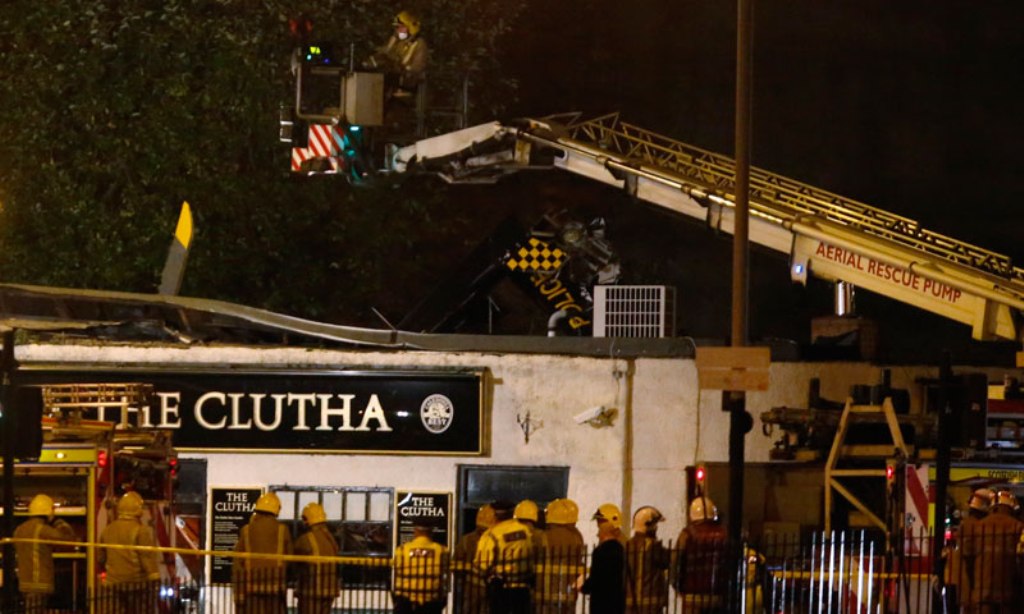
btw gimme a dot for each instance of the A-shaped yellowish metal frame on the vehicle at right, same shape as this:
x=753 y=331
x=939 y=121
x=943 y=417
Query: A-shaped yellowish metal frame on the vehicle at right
x=837 y=469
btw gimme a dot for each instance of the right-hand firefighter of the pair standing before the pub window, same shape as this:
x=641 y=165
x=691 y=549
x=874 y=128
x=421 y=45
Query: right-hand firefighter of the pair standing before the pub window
x=318 y=583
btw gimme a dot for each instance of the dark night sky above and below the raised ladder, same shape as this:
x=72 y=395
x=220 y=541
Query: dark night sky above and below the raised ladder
x=909 y=107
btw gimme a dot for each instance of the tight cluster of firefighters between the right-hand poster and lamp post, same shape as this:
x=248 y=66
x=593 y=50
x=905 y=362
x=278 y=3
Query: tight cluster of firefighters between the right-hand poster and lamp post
x=509 y=565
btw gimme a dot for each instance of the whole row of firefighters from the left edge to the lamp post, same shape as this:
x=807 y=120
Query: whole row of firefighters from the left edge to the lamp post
x=506 y=564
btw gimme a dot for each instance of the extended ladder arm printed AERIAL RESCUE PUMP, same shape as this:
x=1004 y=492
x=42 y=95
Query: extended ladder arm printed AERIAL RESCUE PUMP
x=828 y=236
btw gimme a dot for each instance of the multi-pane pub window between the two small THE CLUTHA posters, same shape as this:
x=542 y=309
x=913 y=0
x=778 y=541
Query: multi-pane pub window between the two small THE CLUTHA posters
x=361 y=520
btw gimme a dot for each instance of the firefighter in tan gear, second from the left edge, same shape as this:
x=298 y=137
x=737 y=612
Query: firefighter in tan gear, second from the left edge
x=132 y=579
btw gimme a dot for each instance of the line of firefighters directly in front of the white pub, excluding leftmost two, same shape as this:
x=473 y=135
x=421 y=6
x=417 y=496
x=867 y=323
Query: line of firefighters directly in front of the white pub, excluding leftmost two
x=506 y=564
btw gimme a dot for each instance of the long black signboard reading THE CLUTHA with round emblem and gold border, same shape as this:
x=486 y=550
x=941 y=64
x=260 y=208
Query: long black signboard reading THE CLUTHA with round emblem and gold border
x=345 y=411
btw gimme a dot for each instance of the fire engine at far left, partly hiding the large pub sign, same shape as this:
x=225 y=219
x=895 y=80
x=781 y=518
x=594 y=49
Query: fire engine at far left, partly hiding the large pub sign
x=86 y=465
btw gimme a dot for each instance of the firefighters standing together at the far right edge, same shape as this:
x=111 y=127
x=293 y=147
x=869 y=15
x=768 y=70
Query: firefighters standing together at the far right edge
x=983 y=573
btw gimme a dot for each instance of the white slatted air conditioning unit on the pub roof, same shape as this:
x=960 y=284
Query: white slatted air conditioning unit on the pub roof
x=634 y=312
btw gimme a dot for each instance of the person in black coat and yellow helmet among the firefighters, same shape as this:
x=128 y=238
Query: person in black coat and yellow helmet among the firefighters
x=607 y=583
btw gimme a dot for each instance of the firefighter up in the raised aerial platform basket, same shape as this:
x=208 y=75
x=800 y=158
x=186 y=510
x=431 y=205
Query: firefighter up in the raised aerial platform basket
x=403 y=58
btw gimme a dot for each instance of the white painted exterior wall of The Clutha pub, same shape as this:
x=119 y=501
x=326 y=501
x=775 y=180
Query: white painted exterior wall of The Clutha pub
x=664 y=422
